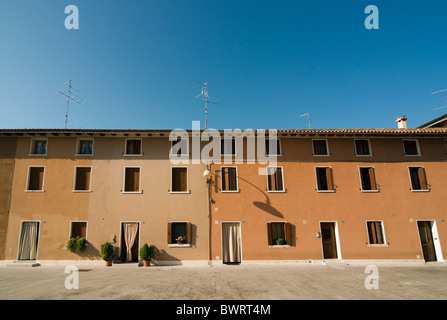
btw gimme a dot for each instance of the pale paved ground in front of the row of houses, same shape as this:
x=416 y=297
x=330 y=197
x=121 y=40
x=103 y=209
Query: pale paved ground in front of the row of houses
x=226 y=282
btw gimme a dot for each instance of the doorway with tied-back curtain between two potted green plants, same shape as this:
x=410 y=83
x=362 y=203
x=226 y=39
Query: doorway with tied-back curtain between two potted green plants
x=130 y=233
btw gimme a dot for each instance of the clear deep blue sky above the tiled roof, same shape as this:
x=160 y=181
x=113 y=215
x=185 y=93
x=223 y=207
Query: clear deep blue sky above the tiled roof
x=266 y=62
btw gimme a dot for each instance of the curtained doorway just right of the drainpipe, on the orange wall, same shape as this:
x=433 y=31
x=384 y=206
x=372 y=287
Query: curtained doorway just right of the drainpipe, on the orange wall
x=231 y=243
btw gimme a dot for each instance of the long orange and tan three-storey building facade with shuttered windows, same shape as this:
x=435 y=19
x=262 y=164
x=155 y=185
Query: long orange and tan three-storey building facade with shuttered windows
x=351 y=194
